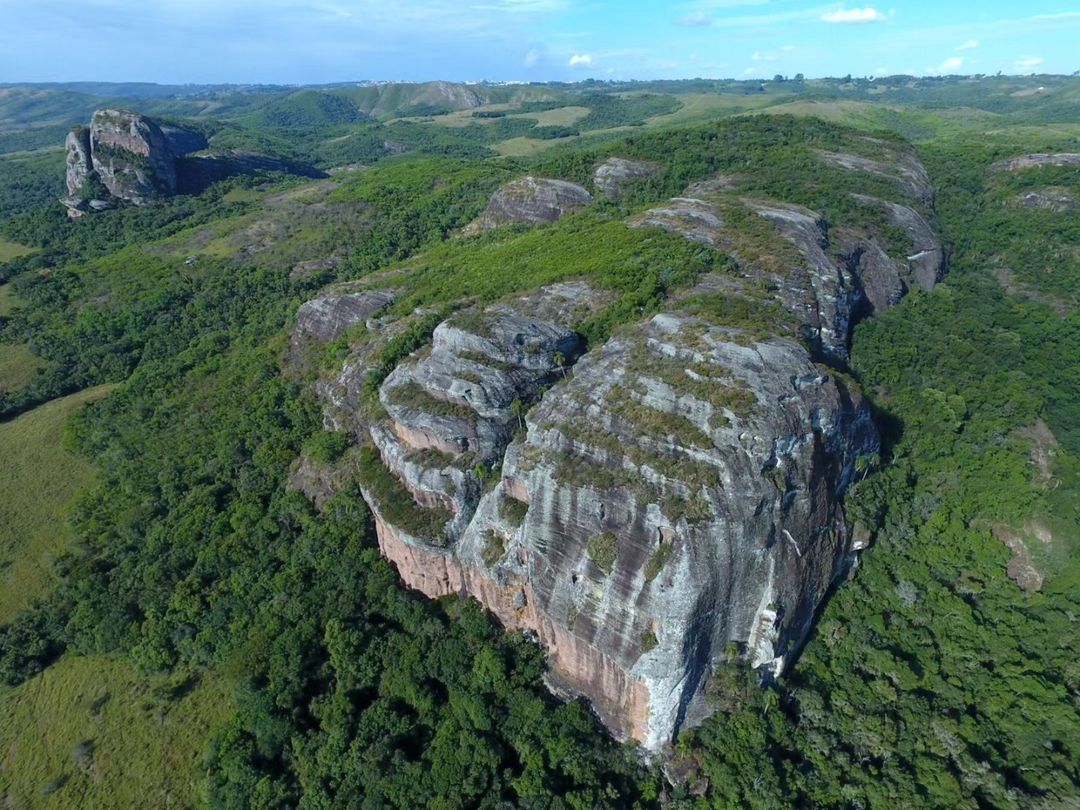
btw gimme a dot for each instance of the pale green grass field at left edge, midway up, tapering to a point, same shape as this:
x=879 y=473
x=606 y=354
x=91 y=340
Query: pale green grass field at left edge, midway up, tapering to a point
x=38 y=480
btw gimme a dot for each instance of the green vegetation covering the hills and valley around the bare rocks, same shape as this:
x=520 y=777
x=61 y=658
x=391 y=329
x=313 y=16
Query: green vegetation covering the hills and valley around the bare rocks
x=145 y=366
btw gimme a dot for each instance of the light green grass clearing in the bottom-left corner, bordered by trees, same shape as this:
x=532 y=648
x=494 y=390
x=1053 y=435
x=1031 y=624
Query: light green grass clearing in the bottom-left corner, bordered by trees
x=92 y=733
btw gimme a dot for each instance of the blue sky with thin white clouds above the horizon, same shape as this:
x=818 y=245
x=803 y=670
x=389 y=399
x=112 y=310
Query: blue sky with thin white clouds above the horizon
x=291 y=42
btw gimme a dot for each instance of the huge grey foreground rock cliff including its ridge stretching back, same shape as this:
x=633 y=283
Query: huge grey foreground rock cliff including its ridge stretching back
x=652 y=506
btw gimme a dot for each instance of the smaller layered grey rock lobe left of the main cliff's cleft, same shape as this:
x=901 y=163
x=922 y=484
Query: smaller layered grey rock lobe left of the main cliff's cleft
x=453 y=412
